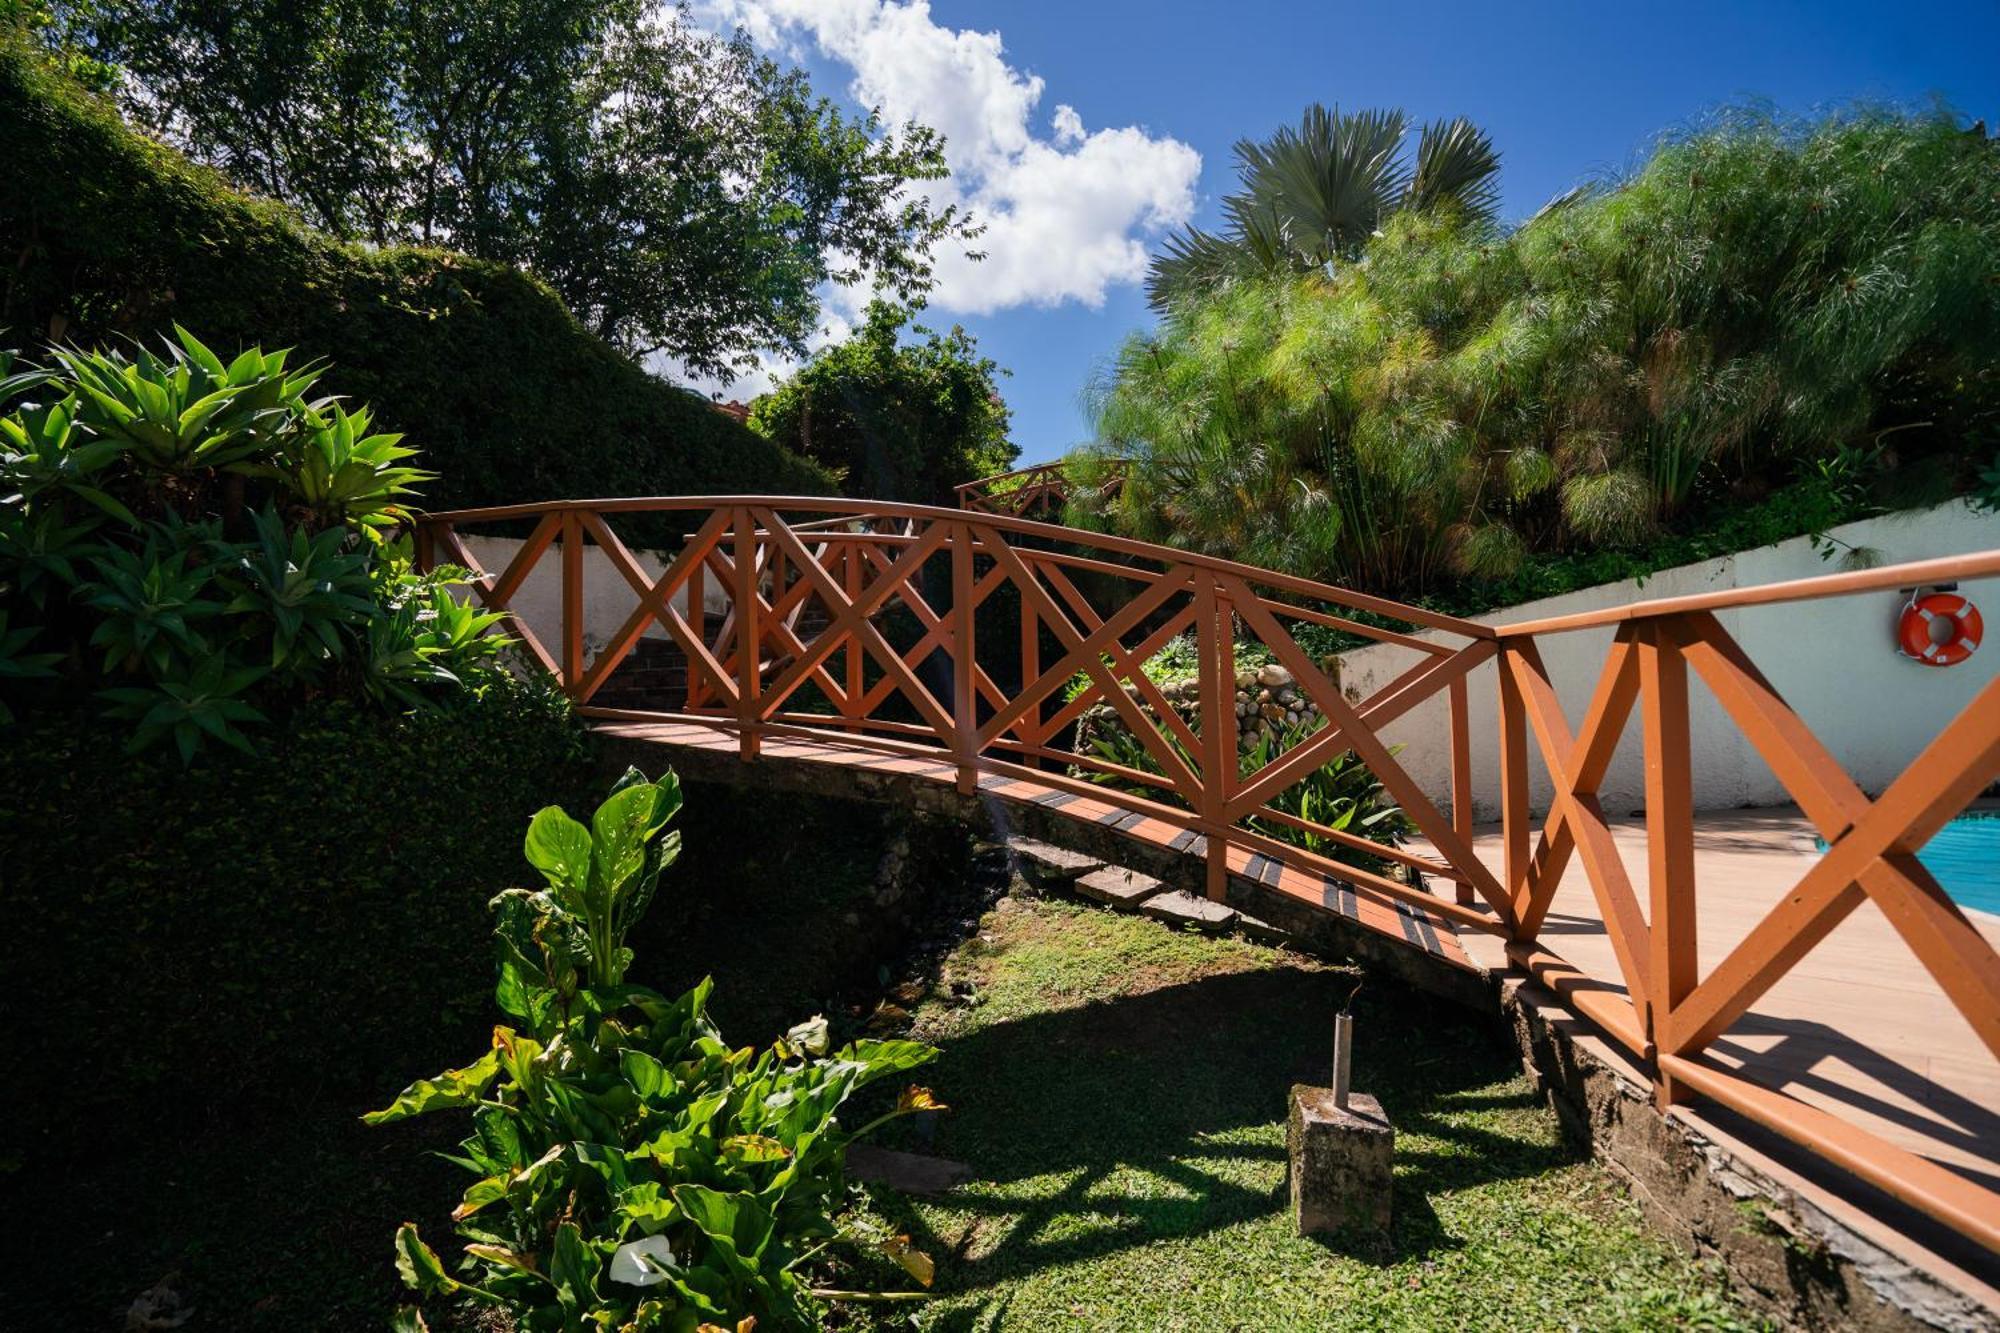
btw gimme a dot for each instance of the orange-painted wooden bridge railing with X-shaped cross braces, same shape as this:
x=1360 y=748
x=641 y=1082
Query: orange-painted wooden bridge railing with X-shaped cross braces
x=983 y=637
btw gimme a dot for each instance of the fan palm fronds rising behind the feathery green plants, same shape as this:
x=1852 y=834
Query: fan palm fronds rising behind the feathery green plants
x=1313 y=197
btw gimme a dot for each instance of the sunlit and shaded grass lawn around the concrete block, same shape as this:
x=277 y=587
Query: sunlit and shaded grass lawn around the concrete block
x=1119 y=1090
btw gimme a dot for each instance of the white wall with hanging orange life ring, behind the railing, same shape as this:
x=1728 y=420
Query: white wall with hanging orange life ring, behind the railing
x=1835 y=661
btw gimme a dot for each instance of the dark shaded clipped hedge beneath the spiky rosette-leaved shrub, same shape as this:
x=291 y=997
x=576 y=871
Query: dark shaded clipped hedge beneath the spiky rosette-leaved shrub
x=253 y=928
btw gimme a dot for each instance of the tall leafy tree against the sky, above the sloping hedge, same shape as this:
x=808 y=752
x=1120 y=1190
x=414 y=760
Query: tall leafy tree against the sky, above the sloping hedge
x=683 y=193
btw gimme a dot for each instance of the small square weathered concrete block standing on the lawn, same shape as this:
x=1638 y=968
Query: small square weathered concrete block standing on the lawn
x=1341 y=1164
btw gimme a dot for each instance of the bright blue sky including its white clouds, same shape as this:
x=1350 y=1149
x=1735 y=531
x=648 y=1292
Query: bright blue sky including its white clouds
x=1567 y=91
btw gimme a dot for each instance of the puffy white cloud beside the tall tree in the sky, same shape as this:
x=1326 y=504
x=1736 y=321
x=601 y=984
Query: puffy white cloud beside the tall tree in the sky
x=1067 y=211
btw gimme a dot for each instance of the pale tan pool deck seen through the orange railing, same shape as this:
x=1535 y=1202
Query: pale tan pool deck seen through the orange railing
x=1859 y=1028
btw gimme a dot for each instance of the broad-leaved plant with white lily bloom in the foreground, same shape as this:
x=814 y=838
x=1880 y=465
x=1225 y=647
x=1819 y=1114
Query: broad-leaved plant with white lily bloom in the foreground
x=635 y=1172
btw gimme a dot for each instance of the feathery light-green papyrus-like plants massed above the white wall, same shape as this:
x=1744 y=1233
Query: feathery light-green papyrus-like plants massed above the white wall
x=1759 y=305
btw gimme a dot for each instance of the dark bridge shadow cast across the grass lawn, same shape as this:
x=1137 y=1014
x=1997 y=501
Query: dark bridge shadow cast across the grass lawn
x=1175 y=1086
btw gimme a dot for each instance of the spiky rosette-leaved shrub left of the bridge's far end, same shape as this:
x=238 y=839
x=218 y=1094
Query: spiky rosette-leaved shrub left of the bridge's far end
x=203 y=543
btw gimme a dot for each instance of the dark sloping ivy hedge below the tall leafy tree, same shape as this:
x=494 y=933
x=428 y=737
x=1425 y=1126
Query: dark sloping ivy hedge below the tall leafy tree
x=109 y=233
